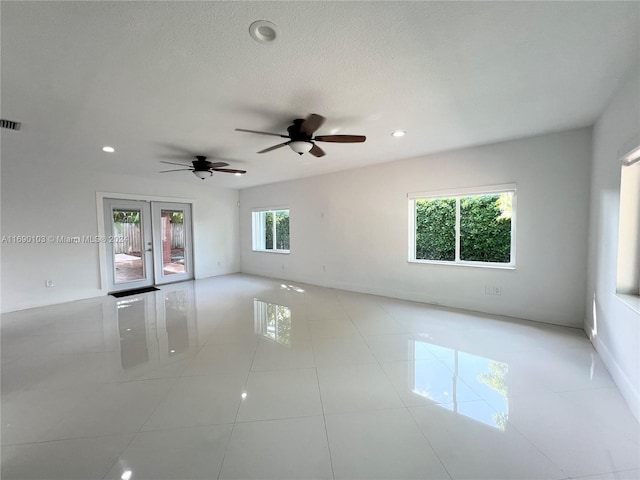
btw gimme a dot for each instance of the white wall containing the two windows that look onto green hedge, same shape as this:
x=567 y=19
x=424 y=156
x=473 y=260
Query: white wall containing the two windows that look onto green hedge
x=349 y=230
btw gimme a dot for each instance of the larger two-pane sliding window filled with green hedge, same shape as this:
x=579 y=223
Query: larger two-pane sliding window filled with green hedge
x=470 y=227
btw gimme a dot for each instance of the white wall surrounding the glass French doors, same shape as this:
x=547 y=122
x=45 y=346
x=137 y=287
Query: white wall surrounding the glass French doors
x=58 y=201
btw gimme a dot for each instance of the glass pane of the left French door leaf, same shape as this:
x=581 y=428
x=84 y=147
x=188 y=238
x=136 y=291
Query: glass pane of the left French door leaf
x=127 y=255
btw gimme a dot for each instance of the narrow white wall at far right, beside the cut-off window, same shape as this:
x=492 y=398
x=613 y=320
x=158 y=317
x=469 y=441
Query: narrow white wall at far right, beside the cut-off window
x=614 y=326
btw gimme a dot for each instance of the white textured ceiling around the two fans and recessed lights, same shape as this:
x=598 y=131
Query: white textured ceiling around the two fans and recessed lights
x=154 y=79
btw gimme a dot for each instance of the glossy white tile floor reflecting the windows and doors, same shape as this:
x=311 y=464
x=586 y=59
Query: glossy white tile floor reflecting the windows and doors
x=242 y=377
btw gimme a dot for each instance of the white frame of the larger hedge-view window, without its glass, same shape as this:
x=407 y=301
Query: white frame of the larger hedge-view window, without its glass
x=458 y=194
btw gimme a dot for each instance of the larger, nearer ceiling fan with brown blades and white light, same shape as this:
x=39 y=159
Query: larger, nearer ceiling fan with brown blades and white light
x=301 y=139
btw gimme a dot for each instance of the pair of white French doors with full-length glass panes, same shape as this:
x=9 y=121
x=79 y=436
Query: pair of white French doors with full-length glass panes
x=147 y=243
